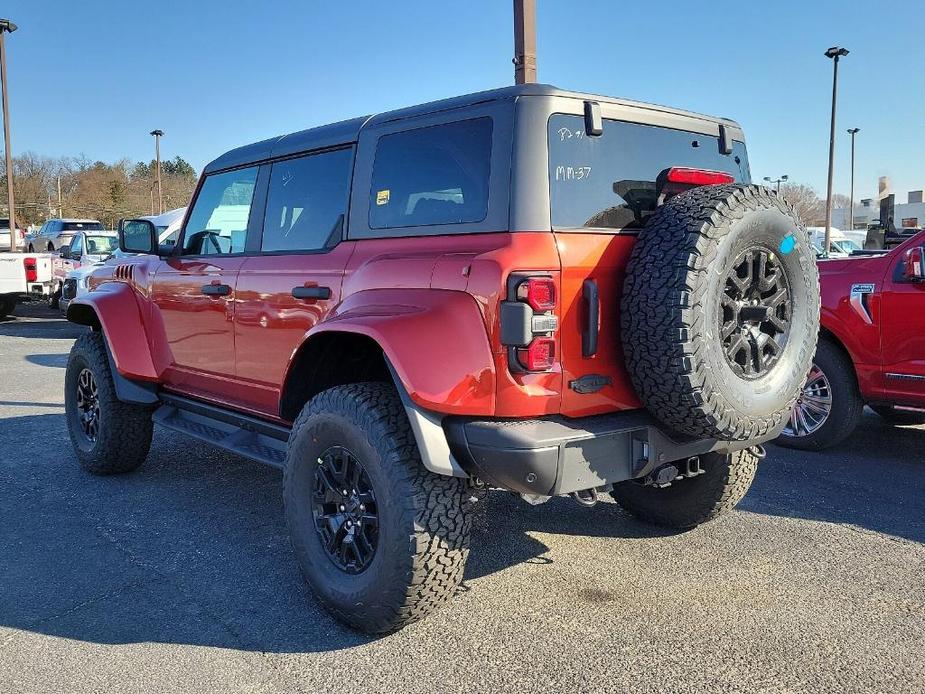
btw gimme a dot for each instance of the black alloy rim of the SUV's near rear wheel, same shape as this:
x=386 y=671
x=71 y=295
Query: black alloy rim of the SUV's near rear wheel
x=344 y=509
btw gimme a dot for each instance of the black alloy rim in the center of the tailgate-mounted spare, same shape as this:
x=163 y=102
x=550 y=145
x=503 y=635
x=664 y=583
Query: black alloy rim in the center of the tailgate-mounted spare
x=755 y=313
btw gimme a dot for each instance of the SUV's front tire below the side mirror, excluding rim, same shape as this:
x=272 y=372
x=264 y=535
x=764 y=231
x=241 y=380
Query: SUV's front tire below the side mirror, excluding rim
x=125 y=429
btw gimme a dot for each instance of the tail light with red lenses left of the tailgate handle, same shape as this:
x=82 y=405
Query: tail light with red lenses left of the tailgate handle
x=529 y=323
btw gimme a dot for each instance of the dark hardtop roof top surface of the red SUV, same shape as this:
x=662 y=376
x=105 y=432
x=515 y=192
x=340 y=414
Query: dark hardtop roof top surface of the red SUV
x=348 y=131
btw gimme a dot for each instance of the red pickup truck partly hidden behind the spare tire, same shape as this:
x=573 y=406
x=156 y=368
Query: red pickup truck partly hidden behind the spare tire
x=871 y=346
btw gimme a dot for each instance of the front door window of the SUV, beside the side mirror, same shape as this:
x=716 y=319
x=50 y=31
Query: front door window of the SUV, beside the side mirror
x=218 y=222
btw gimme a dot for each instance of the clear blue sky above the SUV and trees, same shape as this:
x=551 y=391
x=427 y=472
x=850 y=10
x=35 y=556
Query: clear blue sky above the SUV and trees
x=95 y=77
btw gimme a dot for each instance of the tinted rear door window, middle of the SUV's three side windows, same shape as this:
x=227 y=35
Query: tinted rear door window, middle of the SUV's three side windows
x=307 y=201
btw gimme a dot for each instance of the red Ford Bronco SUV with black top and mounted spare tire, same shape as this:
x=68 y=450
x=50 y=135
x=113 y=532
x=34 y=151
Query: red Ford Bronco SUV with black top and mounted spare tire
x=528 y=289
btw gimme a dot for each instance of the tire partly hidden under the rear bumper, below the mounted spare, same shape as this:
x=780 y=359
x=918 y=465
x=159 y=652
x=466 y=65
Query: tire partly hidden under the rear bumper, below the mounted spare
x=689 y=502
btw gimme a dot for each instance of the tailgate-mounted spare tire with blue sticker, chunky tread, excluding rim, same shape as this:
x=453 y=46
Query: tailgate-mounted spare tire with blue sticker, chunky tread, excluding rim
x=671 y=308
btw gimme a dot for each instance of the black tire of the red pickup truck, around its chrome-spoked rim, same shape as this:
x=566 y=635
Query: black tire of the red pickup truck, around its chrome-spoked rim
x=847 y=404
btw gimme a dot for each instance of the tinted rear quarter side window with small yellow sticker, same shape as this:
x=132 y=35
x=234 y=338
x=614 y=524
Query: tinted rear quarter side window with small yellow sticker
x=433 y=175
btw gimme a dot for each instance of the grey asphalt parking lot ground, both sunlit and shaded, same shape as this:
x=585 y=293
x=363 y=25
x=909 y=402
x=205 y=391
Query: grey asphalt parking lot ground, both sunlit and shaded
x=179 y=577
